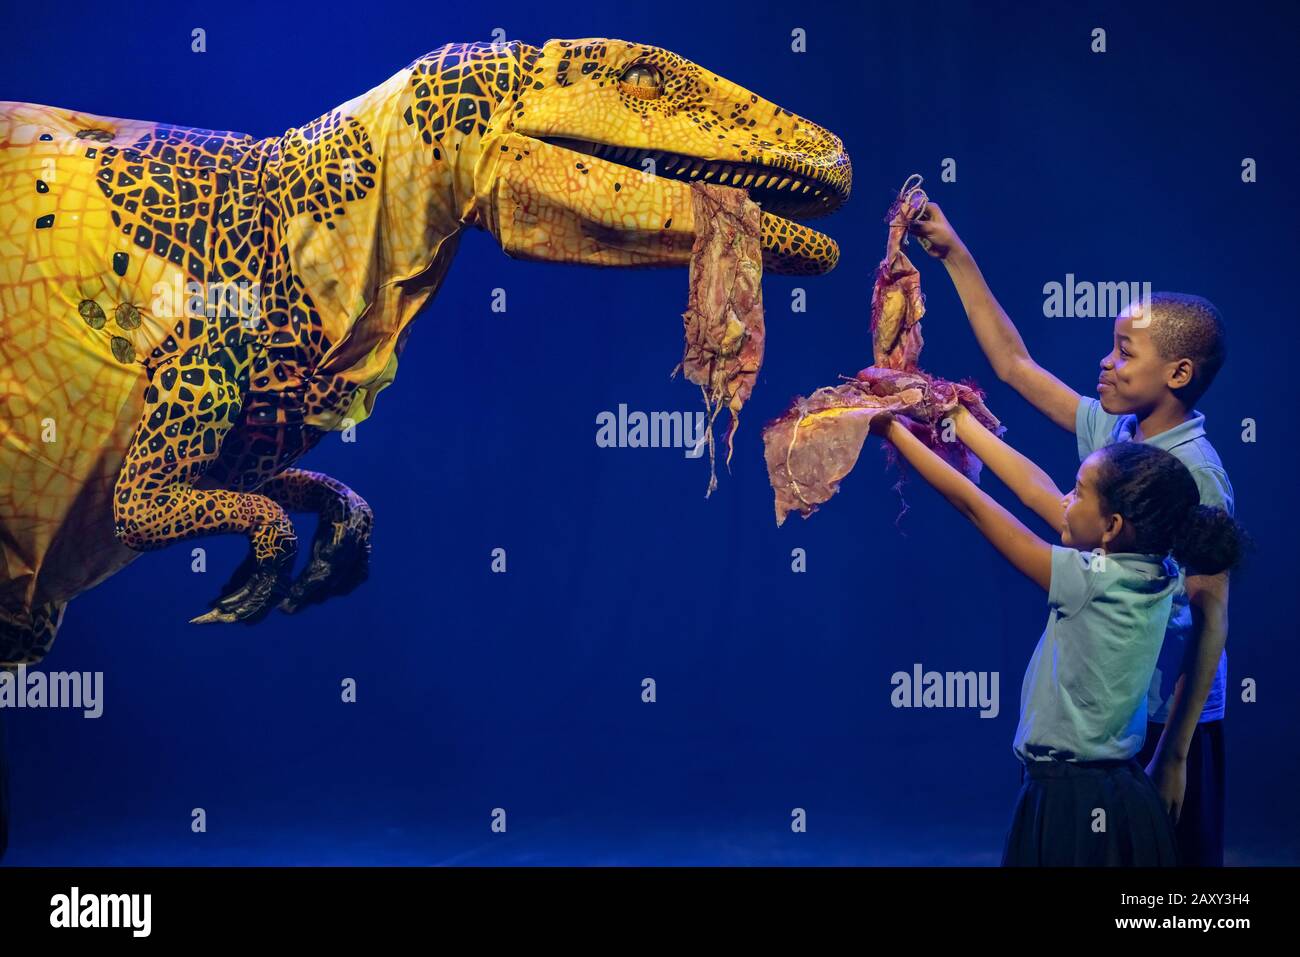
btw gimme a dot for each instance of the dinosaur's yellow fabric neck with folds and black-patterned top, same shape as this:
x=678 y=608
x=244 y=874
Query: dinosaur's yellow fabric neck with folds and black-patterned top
x=375 y=197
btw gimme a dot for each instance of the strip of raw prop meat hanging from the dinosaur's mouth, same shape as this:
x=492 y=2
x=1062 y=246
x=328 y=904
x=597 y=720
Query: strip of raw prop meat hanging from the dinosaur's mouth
x=725 y=313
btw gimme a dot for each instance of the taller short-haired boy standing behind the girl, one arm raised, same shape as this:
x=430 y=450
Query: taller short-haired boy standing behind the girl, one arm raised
x=1165 y=356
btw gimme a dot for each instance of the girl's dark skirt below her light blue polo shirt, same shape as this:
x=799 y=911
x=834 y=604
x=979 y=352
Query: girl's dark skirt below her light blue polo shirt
x=1089 y=815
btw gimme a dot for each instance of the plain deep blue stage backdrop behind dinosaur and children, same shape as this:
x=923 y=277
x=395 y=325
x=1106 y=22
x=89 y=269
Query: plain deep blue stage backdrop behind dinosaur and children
x=523 y=691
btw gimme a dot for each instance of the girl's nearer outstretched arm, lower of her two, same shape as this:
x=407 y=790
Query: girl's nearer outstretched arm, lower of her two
x=1024 y=549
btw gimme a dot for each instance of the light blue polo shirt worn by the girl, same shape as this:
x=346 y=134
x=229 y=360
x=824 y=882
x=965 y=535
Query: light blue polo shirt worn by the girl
x=1085 y=692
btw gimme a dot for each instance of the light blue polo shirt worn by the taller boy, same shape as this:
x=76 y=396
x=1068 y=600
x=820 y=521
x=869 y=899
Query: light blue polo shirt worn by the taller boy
x=1097 y=428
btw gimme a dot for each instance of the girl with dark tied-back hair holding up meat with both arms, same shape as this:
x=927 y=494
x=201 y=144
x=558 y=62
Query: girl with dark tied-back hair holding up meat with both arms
x=1085 y=799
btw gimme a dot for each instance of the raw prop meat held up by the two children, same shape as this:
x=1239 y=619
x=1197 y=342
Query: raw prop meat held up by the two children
x=817 y=443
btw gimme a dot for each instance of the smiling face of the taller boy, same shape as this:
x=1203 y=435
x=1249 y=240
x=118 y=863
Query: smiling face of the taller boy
x=1134 y=376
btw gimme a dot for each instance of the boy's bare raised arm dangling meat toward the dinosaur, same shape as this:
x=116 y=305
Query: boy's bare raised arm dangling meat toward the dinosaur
x=994 y=328
